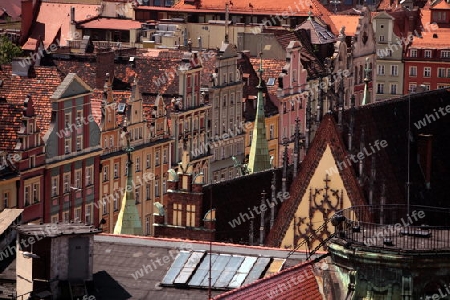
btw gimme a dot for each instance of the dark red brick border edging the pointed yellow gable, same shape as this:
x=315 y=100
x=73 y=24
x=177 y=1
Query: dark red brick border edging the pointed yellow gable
x=327 y=134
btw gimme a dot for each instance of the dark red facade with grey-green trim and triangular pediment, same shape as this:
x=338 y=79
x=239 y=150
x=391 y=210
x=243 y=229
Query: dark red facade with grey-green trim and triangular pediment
x=72 y=155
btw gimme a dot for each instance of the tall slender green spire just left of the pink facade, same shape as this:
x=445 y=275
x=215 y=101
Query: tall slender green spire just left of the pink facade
x=259 y=159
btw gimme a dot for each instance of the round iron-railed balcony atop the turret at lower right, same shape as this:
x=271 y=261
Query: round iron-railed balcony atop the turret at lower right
x=393 y=227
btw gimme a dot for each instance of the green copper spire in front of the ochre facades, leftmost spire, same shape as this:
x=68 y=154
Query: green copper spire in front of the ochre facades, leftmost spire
x=128 y=221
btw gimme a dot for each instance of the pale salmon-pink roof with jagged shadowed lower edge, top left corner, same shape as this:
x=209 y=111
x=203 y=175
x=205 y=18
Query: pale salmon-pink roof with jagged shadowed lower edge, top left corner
x=53 y=22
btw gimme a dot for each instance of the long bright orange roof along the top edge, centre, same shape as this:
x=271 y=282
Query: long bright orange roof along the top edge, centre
x=259 y=7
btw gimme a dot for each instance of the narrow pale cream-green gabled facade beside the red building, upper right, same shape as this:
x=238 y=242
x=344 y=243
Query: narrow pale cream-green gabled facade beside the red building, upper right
x=390 y=67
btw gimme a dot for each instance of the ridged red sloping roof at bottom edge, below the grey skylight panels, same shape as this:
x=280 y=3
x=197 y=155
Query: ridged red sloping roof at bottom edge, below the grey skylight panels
x=297 y=282
